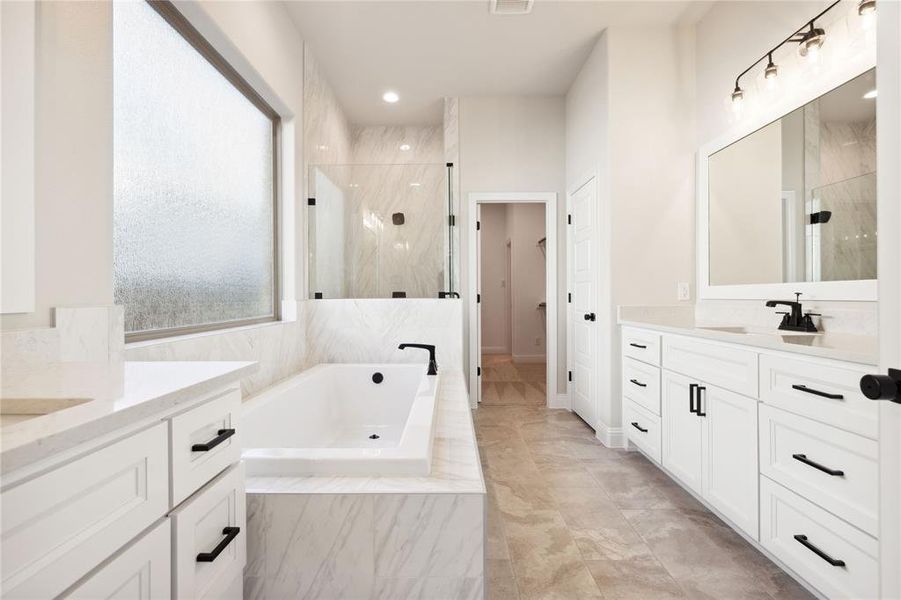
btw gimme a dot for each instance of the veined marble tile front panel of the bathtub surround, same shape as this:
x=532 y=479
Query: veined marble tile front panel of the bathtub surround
x=367 y=546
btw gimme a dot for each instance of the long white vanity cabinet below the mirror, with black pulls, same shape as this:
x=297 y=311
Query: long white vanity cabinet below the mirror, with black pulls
x=782 y=445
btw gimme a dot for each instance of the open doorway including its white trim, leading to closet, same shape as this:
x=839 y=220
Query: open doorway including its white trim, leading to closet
x=513 y=333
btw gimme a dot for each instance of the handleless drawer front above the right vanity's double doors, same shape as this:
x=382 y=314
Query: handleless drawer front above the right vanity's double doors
x=723 y=365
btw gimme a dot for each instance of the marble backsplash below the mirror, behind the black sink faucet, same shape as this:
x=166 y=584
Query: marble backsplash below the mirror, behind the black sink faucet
x=855 y=318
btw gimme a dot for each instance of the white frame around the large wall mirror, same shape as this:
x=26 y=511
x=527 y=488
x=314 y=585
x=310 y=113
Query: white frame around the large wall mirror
x=861 y=290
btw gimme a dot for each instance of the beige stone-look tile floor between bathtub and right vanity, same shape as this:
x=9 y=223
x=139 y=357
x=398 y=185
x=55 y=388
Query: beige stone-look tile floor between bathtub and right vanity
x=571 y=519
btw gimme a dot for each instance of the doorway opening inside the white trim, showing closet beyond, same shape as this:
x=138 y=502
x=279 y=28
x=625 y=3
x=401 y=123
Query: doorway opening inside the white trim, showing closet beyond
x=514 y=304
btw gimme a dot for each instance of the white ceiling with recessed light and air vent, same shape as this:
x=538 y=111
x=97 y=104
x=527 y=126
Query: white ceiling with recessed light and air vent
x=426 y=50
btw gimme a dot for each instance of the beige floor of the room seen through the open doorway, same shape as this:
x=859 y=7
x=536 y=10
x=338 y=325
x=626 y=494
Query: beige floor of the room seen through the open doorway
x=505 y=383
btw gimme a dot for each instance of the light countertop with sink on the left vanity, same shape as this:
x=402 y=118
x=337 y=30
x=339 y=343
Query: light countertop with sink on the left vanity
x=99 y=397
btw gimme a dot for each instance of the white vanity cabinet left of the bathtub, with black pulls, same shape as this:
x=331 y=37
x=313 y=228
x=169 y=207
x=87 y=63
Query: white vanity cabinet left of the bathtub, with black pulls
x=153 y=512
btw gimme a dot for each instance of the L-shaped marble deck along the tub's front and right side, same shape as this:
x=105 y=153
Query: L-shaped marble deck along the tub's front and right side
x=456 y=468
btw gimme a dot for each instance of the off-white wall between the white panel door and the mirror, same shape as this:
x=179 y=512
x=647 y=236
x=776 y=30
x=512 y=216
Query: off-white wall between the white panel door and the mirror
x=629 y=121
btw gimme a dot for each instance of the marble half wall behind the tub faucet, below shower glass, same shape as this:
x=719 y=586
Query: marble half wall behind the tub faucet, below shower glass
x=370 y=330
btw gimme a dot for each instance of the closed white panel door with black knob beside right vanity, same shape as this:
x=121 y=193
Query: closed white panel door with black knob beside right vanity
x=584 y=302
